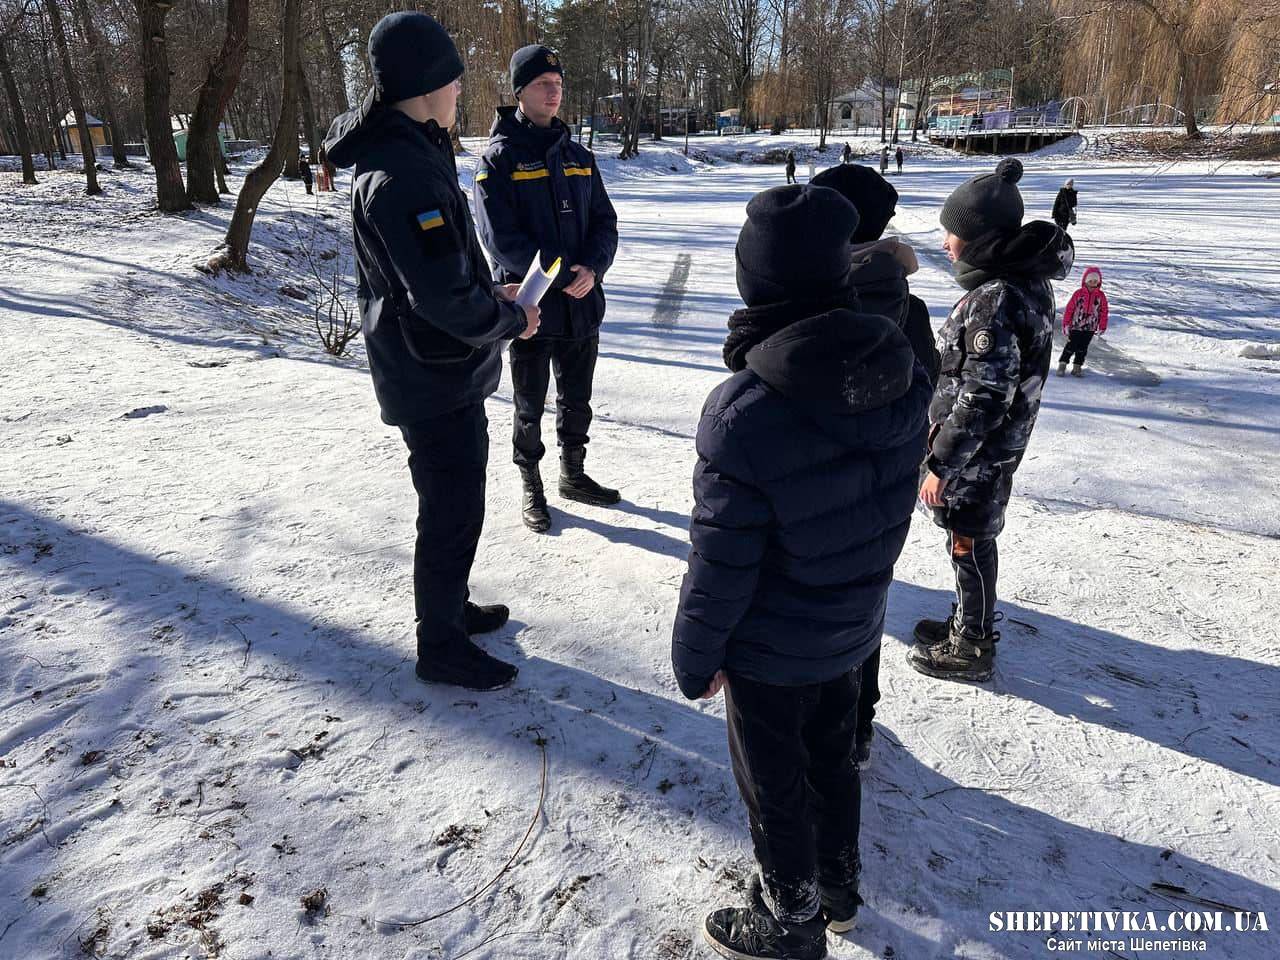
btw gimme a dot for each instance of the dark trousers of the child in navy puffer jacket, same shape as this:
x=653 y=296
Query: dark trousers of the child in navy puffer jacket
x=793 y=755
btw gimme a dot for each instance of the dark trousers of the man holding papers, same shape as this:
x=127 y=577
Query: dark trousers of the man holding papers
x=447 y=459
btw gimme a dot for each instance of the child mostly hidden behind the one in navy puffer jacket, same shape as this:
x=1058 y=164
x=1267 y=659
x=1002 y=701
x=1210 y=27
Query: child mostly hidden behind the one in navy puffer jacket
x=879 y=277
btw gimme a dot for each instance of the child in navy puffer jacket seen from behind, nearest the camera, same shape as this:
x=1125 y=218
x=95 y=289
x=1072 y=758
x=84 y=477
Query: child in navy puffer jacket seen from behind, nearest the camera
x=807 y=467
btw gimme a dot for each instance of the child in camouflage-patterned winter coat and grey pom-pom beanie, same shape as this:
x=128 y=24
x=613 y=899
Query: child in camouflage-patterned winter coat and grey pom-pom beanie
x=996 y=351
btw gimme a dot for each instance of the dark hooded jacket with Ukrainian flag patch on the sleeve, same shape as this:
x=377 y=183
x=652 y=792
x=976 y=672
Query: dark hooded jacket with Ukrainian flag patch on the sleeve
x=432 y=321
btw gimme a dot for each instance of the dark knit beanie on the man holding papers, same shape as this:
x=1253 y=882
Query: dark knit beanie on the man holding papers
x=410 y=54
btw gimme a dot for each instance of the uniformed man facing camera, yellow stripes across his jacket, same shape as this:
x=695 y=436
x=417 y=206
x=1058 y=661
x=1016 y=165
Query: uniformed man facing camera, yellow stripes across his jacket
x=537 y=190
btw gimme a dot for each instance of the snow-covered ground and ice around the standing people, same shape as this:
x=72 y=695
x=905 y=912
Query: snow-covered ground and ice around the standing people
x=208 y=711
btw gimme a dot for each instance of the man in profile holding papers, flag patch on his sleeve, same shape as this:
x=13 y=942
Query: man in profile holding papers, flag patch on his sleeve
x=435 y=324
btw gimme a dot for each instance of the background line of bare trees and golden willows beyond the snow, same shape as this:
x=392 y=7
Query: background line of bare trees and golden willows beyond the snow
x=269 y=70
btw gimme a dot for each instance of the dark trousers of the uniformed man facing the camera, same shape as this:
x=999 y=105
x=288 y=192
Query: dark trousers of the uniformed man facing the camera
x=532 y=364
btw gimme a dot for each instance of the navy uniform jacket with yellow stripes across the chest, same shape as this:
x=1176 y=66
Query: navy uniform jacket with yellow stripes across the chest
x=537 y=190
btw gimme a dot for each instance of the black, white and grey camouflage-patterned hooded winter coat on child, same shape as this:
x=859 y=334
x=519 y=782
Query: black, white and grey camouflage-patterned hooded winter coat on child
x=996 y=349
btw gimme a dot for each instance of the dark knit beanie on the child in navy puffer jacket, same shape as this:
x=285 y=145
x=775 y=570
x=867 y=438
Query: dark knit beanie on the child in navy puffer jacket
x=796 y=245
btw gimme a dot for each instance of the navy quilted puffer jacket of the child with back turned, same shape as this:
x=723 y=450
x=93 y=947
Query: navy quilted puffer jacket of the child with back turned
x=803 y=495
